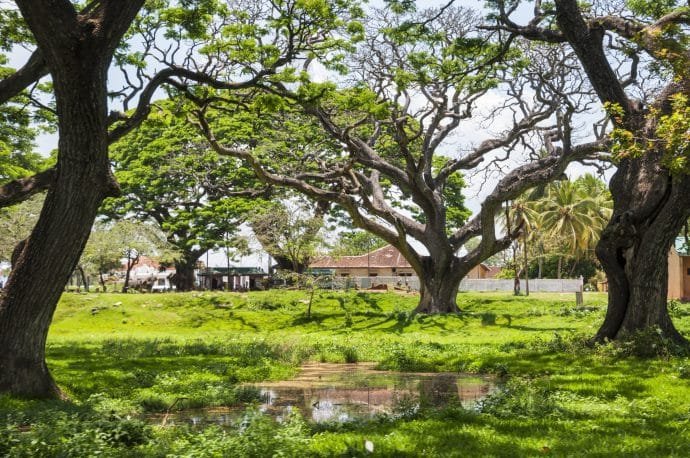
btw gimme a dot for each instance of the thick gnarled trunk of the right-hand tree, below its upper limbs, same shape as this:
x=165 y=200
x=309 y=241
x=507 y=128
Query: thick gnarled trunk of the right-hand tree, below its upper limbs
x=634 y=248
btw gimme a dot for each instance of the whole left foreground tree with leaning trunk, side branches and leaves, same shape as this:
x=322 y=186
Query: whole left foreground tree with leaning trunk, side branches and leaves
x=75 y=47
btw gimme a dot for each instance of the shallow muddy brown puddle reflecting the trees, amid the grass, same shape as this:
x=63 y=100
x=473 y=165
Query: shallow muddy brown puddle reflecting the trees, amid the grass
x=347 y=392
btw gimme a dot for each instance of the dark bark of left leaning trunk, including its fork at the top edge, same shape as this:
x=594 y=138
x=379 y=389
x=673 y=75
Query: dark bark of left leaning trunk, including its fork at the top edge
x=77 y=50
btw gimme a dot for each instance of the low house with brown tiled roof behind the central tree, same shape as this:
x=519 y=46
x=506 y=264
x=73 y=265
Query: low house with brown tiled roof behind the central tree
x=384 y=262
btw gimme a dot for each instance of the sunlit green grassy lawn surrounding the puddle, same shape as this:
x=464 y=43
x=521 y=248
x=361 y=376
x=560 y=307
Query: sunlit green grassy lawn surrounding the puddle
x=120 y=357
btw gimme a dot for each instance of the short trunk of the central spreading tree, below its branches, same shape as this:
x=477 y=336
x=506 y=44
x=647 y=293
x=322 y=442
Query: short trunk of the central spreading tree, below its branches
x=439 y=285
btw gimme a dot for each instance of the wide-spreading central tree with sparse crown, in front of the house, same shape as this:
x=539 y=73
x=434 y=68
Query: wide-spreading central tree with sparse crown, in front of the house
x=412 y=82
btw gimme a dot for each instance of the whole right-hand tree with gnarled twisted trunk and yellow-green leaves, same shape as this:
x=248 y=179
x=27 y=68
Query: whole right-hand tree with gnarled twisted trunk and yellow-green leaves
x=635 y=56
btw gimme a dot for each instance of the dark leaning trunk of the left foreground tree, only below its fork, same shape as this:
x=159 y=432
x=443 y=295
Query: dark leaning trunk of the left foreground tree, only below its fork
x=56 y=242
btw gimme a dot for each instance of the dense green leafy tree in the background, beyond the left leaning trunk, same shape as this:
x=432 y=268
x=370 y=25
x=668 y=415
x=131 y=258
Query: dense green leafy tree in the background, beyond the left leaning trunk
x=168 y=174
